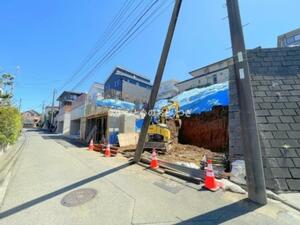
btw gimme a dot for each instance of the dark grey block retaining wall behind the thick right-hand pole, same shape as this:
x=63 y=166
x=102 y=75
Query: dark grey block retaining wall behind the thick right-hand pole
x=275 y=75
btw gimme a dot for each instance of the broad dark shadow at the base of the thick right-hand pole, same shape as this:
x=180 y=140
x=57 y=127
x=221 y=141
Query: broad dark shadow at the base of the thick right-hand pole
x=223 y=214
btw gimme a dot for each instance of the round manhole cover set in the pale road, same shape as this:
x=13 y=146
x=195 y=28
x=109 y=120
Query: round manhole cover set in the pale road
x=78 y=197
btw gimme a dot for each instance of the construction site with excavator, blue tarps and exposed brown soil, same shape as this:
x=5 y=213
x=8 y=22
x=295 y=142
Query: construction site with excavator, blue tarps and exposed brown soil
x=184 y=131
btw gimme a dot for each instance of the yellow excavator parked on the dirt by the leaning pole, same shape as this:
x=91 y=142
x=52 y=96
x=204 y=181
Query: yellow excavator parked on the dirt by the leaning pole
x=159 y=134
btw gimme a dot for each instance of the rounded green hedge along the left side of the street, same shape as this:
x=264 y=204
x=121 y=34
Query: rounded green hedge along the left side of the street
x=10 y=125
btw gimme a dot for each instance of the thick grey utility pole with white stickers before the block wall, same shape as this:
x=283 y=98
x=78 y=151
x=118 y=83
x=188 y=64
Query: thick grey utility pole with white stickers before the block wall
x=250 y=139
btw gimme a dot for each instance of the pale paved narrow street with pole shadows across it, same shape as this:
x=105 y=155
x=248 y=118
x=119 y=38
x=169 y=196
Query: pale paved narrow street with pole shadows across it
x=50 y=168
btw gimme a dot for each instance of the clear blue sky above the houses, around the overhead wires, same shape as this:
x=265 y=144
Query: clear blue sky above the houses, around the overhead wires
x=44 y=42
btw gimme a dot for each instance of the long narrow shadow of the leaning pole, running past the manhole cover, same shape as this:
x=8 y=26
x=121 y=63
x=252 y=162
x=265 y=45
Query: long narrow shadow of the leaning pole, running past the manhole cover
x=53 y=194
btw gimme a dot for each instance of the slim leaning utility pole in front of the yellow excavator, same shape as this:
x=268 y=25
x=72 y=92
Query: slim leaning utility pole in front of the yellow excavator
x=158 y=77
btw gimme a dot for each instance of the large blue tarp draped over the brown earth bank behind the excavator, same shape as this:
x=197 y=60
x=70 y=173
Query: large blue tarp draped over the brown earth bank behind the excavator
x=199 y=100
